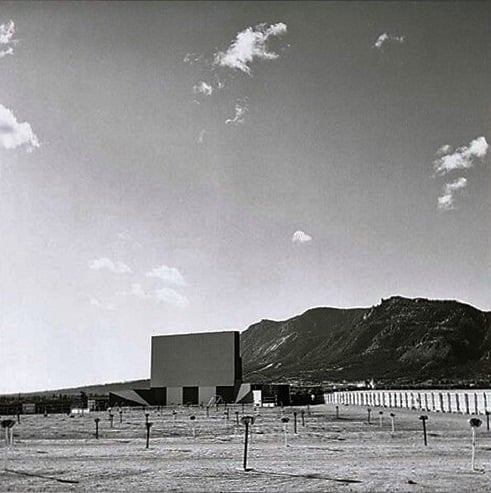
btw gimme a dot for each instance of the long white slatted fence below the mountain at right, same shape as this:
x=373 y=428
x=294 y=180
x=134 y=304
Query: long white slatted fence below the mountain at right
x=439 y=401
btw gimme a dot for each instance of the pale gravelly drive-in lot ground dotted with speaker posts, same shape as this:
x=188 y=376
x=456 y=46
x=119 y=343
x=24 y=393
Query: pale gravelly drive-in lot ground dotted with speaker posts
x=61 y=453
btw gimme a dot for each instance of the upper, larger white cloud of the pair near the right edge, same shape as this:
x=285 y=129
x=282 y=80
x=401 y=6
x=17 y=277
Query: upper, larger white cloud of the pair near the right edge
x=462 y=158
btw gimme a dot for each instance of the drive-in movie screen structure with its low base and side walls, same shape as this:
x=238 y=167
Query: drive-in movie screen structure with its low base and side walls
x=201 y=368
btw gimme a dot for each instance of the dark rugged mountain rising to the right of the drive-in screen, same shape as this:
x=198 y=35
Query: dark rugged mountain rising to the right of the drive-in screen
x=399 y=340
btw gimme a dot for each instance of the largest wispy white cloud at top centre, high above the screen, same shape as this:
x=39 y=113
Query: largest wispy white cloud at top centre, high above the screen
x=250 y=44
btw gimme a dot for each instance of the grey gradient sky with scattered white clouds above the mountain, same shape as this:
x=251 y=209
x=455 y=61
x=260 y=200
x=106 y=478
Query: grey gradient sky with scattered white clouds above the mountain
x=170 y=167
